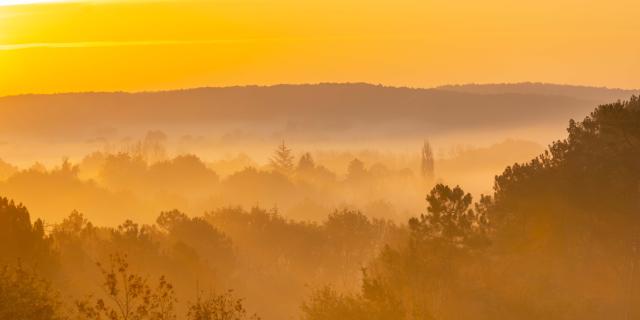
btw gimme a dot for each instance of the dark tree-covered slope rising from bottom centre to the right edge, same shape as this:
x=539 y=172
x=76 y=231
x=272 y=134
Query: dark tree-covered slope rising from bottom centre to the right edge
x=556 y=240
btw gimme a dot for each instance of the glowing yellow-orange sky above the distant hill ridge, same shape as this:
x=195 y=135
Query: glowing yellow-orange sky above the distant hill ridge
x=72 y=46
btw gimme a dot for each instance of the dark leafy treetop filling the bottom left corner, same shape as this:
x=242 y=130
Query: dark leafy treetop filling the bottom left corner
x=26 y=296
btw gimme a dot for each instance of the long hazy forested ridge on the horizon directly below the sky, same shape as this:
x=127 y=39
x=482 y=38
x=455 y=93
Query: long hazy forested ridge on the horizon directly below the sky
x=321 y=107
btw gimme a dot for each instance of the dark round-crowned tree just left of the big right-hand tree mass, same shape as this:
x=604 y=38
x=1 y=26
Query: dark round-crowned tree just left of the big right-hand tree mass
x=424 y=274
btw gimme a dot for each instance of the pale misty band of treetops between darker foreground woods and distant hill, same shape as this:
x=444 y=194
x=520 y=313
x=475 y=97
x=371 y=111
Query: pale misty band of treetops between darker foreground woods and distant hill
x=137 y=179
